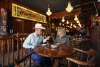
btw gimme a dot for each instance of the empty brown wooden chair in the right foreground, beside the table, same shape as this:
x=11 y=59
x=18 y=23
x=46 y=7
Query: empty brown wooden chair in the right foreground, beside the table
x=79 y=62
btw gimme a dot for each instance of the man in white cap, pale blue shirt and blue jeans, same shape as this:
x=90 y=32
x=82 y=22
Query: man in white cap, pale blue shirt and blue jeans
x=34 y=40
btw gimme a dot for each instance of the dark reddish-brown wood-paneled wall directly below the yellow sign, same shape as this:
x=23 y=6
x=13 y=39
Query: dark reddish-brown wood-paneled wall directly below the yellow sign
x=22 y=26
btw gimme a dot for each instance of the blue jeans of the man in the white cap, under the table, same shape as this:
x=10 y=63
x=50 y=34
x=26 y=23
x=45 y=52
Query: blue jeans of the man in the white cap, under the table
x=42 y=61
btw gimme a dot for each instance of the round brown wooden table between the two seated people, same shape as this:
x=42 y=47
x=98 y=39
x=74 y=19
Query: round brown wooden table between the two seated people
x=61 y=51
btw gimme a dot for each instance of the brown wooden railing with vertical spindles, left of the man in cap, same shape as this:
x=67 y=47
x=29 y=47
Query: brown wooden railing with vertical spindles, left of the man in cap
x=11 y=48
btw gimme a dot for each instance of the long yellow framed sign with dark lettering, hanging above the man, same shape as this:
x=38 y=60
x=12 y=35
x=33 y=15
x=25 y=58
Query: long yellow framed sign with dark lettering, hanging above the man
x=24 y=13
